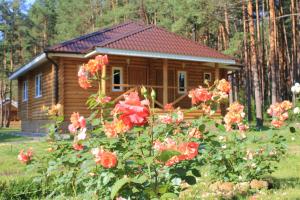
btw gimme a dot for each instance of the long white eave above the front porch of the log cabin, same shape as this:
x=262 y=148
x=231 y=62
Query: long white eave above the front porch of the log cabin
x=148 y=54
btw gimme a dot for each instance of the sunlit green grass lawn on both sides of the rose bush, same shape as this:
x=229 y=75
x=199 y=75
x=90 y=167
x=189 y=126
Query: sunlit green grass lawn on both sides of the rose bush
x=286 y=180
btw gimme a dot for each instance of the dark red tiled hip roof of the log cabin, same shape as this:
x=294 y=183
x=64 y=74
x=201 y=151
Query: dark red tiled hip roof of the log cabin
x=137 y=37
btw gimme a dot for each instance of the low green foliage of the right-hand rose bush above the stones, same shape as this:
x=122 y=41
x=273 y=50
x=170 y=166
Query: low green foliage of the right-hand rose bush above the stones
x=238 y=158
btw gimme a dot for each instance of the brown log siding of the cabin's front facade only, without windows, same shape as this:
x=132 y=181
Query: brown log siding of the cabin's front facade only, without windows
x=136 y=70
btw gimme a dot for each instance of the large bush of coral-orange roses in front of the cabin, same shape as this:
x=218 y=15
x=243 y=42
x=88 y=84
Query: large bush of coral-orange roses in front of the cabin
x=132 y=152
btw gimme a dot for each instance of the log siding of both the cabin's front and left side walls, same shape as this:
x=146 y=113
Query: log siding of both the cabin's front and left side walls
x=136 y=70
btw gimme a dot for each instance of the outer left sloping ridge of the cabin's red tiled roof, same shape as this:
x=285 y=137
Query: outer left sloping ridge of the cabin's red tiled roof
x=88 y=35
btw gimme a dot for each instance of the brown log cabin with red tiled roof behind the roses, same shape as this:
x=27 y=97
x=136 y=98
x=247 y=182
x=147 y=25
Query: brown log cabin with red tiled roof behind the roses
x=138 y=55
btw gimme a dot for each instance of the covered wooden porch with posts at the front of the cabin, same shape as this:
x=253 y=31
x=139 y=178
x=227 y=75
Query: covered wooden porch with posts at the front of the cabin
x=171 y=79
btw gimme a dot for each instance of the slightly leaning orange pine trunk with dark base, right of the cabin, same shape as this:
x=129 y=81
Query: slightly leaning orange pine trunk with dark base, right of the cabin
x=256 y=84
